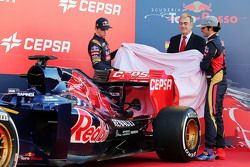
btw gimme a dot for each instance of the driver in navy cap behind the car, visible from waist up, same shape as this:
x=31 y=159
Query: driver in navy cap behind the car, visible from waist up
x=98 y=47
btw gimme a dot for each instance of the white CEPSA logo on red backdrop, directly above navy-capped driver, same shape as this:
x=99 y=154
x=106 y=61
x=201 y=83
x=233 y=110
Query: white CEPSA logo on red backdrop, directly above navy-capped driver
x=91 y=6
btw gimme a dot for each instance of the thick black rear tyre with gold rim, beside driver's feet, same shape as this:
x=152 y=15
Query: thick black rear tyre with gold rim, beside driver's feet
x=177 y=134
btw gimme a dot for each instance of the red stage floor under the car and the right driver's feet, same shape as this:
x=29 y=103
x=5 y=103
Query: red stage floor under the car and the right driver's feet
x=235 y=157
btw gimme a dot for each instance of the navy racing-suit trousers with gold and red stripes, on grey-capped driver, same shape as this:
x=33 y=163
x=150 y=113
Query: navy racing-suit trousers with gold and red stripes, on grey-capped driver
x=214 y=126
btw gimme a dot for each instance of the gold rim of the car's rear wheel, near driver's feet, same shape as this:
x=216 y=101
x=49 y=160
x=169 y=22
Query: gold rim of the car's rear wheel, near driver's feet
x=191 y=134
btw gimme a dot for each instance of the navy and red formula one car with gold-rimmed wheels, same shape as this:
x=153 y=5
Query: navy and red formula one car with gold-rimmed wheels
x=66 y=117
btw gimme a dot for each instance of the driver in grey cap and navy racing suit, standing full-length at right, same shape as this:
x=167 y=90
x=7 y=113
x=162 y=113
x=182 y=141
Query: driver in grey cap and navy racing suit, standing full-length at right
x=213 y=64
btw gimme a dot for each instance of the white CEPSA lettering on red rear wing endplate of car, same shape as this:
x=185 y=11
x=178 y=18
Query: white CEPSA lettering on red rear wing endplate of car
x=161 y=84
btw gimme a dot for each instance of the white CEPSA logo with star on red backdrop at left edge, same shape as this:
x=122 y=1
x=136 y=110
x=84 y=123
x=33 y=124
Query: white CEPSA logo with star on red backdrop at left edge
x=36 y=44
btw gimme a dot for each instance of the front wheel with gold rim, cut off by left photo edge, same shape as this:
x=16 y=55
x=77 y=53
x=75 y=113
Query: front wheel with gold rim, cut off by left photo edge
x=9 y=144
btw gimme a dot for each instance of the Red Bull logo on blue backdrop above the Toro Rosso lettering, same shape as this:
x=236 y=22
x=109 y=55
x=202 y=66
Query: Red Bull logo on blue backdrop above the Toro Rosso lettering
x=197 y=7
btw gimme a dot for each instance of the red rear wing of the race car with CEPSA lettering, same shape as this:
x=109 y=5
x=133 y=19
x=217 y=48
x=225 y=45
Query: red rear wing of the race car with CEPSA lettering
x=161 y=89
